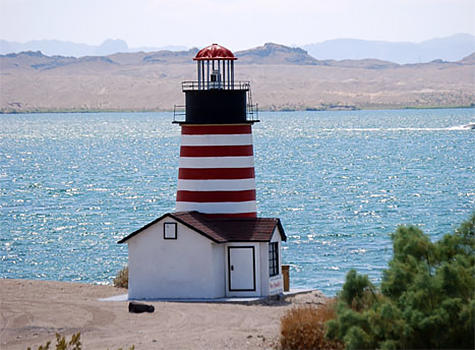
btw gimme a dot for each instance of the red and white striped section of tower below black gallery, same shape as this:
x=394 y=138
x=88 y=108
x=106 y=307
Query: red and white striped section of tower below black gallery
x=216 y=170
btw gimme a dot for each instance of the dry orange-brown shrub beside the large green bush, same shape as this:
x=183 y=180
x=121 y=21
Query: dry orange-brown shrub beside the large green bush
x=303 y=328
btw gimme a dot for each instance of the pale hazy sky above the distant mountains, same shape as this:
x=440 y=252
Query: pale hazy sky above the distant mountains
x=237 y=24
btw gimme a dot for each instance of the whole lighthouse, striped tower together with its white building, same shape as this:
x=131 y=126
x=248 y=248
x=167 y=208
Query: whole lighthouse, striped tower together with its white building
x=213 y=245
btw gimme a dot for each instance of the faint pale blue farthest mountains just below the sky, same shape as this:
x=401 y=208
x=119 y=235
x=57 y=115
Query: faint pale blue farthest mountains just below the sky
x=452 y=48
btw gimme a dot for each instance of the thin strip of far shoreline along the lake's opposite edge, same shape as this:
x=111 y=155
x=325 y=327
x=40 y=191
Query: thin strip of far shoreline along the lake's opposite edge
x=309 y=109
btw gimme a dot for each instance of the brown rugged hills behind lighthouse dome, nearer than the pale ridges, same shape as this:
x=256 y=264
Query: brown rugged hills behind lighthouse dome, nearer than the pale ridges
x=268 y=54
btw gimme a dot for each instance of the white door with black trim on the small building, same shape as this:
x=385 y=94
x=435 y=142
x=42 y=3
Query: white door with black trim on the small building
x=241 y=269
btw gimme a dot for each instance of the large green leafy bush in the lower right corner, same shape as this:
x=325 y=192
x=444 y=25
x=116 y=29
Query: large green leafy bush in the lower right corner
x=426 y=298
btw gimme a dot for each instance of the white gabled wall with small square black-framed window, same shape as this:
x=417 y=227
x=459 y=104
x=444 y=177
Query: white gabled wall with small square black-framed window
x=192 y=266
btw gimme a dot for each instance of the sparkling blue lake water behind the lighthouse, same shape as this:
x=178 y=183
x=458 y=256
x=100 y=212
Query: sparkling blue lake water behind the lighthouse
x=71 y=185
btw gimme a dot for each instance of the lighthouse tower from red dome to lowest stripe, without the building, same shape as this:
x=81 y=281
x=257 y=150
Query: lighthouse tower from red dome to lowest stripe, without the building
x=216 y=168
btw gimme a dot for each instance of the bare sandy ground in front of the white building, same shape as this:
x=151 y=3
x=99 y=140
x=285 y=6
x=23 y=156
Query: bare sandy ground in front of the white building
x=33 y=311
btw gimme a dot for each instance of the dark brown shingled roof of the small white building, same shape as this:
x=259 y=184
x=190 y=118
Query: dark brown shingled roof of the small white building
x=222 y=230
